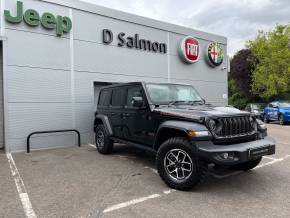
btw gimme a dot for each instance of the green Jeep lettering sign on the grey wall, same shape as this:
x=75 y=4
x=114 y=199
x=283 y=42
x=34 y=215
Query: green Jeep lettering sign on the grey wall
x=32 y=18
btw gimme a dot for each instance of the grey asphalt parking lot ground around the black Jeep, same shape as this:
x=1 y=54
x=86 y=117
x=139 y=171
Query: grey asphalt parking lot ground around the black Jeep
x=79 y=182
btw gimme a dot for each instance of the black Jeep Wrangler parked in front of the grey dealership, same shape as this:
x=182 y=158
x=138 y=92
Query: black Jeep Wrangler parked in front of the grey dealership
x=187 y=135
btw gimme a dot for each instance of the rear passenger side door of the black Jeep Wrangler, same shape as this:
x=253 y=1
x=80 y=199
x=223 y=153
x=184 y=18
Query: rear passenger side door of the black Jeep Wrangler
x=116 y=110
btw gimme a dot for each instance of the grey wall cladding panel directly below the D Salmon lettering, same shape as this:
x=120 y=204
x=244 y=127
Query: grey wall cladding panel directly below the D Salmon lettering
x=115 y=60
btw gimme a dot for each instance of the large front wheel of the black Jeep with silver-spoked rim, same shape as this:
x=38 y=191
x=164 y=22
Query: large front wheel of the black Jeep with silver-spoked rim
x=178 y=165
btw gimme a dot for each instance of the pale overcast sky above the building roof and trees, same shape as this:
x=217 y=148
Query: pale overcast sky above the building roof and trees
x=238 y=20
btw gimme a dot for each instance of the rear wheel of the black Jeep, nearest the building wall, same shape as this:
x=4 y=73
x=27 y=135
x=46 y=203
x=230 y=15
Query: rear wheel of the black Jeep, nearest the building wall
x=103 y=143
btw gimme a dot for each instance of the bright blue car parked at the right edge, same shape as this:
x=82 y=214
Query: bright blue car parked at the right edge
x=277 y=110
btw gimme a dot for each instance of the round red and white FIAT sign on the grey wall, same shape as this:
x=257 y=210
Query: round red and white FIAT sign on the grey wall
x=189 y=50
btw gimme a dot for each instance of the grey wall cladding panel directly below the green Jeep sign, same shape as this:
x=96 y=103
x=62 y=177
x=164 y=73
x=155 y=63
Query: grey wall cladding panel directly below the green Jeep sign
x=38 y=50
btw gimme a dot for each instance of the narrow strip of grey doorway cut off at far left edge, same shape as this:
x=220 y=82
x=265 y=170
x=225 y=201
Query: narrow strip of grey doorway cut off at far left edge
x=1 y=99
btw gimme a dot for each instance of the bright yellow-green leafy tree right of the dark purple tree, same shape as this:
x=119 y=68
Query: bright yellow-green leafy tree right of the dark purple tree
x=271 y=74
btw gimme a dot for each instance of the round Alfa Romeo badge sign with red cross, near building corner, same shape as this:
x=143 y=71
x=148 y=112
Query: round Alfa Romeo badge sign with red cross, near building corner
x=215 y=54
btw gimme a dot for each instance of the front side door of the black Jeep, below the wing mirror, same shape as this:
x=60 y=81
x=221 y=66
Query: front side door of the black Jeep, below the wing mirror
x=138 y=123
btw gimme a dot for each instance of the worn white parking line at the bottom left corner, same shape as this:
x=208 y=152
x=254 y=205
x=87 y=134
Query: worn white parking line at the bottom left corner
x=26 y=204
